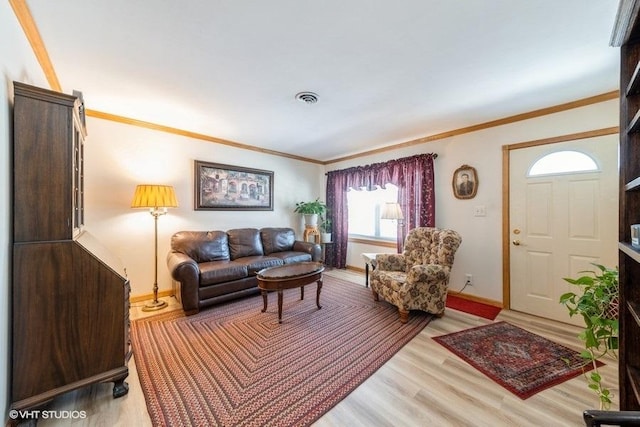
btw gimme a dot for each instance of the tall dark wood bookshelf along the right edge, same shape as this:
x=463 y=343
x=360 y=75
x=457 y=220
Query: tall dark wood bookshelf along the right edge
x=626 y=35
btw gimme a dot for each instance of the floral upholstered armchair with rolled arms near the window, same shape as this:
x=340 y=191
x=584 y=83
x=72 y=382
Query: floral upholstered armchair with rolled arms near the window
x=417 y=279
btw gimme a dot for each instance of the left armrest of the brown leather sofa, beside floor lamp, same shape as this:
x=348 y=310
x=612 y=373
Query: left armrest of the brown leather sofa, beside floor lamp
x=185 y=270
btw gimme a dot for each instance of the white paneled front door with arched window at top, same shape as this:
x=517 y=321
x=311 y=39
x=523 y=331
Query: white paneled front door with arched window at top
x=560 y=224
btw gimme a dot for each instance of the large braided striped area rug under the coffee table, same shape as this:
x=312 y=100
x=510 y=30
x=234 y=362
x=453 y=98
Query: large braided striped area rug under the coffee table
x=232 y=365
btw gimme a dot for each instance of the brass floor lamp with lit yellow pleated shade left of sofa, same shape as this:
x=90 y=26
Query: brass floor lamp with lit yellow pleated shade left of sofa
x=157 y=198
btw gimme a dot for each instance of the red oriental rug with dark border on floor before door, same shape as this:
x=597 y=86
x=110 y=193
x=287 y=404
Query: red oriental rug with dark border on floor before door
x=520 y=361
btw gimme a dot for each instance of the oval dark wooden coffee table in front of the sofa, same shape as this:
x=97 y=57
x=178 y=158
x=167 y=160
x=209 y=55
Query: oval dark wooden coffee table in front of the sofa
x=287 y=277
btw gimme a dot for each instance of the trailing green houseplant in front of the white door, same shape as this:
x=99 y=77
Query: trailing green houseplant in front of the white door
x=598 y=306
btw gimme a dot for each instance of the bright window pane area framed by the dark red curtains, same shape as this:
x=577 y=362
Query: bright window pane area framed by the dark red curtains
x=365 y=207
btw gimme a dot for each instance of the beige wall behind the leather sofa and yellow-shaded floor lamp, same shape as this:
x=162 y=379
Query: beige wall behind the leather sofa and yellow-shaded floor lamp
x=120 y=156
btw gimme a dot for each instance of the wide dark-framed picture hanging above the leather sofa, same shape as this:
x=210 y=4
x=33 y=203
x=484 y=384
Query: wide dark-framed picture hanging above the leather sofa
x=226 y=187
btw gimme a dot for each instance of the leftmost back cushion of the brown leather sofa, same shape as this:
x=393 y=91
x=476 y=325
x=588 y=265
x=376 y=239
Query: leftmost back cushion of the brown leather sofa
x=202 y=246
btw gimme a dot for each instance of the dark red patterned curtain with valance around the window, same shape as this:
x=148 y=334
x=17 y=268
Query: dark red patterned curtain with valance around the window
x=414 y=178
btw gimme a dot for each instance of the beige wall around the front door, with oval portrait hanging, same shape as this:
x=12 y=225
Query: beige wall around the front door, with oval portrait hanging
x=481 y=252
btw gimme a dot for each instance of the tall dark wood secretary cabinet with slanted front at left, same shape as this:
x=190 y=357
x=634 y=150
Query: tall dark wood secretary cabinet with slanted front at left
x=70 y=296
